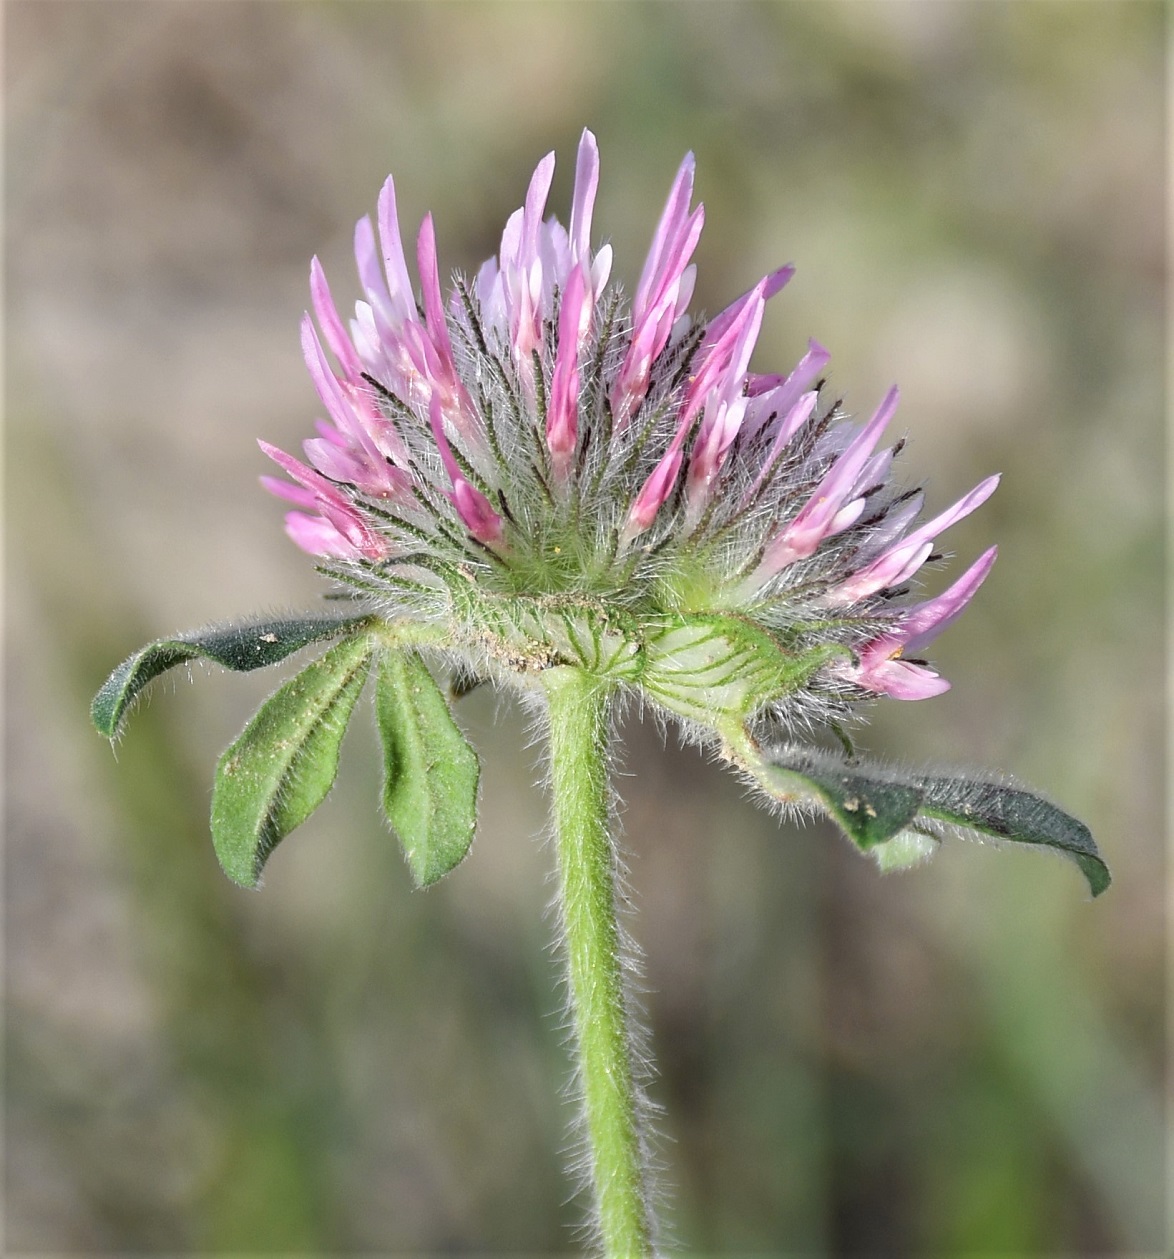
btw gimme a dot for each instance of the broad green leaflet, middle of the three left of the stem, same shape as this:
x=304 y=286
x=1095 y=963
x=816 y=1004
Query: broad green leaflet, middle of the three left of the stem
x=285 y=761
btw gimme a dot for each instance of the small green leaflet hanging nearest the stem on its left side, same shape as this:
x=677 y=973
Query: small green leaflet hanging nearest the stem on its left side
x=430 y=791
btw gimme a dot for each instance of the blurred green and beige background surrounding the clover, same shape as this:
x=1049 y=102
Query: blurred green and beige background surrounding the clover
x=960 y=1061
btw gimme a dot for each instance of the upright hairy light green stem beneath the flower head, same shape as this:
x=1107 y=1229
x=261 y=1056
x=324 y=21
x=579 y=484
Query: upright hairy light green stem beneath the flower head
x=580 y=716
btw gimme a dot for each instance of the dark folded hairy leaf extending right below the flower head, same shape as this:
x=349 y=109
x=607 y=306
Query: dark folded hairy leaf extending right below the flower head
x=876 y=805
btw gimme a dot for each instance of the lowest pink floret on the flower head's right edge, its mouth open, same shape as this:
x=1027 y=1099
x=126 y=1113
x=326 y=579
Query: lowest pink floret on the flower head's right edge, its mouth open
x=881 y=667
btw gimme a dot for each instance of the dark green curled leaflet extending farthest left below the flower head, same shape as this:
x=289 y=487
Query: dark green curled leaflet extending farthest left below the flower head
x=240 y=648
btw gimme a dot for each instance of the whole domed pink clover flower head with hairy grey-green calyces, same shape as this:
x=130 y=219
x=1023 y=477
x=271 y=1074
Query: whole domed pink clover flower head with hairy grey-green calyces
x=547 y=473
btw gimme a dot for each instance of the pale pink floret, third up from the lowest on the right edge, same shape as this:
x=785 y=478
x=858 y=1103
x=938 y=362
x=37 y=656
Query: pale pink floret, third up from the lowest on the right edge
x=838 y=503
